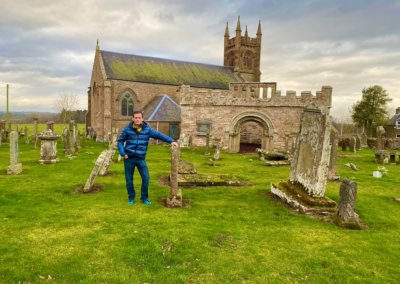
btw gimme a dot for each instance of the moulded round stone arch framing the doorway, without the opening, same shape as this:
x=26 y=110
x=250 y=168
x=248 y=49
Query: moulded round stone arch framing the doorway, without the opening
x=261 y=119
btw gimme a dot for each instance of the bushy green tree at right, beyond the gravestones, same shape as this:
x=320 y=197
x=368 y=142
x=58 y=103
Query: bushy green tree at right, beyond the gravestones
x=372 y=109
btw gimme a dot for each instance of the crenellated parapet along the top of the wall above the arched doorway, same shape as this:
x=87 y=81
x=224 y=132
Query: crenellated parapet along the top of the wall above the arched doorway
x=263 y=94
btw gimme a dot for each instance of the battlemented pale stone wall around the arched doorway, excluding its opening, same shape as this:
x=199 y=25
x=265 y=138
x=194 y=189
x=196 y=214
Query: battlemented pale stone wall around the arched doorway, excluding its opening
x=226 y=111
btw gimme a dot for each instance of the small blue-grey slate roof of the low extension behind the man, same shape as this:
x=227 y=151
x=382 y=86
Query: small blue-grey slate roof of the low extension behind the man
x=162 y=108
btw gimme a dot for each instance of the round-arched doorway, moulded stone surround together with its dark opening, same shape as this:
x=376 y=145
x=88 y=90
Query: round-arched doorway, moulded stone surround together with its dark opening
x=252 y=126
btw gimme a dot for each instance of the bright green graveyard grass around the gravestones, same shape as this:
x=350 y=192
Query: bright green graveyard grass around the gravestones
x=48 y=233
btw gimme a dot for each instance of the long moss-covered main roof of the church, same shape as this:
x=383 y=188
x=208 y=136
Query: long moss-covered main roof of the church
x=119 y=66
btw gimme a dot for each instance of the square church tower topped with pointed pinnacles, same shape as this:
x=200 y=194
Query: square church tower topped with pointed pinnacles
x=243 y=53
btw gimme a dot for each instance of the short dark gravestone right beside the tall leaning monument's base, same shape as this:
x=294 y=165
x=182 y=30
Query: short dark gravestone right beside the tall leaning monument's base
x=346 y=204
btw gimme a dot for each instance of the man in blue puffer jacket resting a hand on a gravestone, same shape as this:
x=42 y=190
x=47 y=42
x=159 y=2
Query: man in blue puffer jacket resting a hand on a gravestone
x=136 y=137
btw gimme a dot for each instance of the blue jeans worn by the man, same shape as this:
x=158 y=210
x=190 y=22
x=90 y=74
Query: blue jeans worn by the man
x=129 y=165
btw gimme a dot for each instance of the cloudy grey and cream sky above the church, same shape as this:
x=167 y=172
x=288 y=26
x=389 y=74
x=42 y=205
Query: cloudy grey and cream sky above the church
x=47 y=47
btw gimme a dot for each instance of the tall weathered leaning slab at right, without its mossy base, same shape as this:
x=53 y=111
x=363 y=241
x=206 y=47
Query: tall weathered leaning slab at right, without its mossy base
x=312 y=154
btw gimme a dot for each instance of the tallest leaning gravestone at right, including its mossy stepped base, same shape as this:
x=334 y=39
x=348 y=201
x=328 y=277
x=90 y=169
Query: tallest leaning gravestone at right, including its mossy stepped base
x=306 y=187
